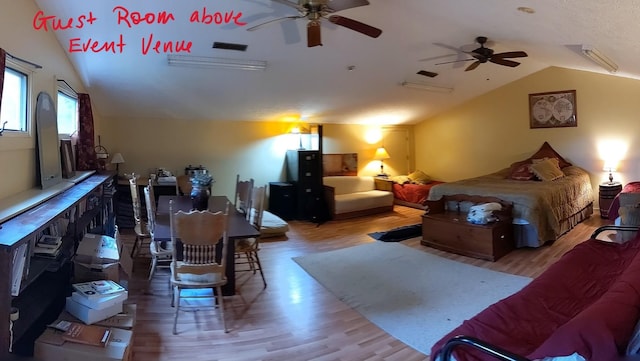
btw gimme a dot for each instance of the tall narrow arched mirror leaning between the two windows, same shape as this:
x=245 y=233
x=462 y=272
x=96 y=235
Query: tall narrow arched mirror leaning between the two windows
x=47 y=143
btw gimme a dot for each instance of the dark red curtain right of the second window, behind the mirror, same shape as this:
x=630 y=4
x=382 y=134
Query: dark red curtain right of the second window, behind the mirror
x=85 y=146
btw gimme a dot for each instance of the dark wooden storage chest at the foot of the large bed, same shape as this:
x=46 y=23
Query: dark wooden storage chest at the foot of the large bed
x=445 y=227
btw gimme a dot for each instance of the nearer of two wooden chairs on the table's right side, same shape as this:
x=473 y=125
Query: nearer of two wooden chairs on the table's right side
x=246 y=249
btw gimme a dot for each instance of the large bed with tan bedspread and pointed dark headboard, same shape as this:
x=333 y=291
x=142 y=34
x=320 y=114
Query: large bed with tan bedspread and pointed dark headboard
x=549 y=195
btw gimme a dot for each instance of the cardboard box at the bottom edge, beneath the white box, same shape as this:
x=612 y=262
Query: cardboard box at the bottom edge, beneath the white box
x=51 y=347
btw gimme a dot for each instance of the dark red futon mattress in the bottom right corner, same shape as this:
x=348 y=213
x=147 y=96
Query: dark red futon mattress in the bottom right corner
x=588 y=302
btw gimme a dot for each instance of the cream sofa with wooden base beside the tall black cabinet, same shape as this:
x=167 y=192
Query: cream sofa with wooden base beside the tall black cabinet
x=354 y=196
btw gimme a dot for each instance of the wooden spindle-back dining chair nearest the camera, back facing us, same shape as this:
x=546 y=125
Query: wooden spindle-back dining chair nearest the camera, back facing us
x=195 y=264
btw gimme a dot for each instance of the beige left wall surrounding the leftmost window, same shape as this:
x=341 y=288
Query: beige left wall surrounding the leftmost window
x=17 y=37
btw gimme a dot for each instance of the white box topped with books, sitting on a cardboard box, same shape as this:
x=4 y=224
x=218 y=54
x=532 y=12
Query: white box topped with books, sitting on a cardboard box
x=95 y=301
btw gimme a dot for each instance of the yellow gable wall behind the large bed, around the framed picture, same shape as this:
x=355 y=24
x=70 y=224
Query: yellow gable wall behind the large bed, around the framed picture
x=490 y=132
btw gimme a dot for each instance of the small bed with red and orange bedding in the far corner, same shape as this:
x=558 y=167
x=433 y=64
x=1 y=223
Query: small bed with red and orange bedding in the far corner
x=412 y=190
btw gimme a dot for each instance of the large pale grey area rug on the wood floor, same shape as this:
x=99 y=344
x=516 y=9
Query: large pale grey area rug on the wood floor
x=414 y=296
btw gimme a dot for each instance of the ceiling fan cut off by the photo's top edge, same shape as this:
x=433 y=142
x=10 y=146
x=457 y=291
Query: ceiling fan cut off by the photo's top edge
x=315 y=10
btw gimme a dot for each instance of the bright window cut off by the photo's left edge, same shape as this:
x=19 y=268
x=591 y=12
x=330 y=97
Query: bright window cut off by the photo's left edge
x=15 y=97
